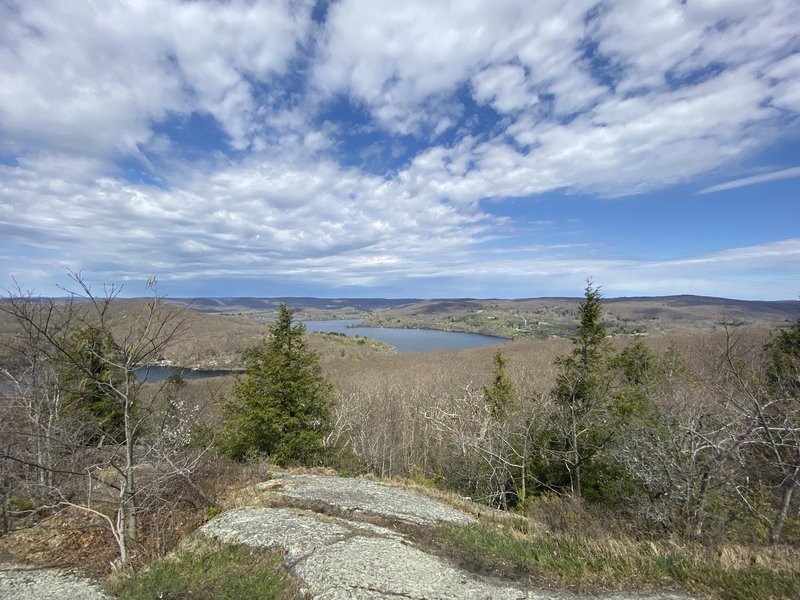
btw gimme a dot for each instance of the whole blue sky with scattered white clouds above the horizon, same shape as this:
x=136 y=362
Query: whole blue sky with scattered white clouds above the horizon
x=370 y=148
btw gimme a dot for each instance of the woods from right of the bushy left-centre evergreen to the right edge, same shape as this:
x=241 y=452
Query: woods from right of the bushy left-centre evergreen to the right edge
x=699 y=442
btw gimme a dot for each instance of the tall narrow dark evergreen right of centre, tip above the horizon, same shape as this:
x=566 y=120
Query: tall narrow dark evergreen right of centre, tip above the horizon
x=583 y=388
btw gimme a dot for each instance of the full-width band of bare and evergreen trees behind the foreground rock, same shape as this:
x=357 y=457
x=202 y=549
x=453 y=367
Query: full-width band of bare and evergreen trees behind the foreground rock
x=697 y=442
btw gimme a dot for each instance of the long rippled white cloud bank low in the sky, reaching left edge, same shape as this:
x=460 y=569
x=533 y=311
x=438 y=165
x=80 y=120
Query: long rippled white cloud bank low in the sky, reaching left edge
x=250 y=218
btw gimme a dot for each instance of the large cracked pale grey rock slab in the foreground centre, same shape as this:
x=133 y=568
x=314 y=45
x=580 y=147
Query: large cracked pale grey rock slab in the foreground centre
x=353 y=552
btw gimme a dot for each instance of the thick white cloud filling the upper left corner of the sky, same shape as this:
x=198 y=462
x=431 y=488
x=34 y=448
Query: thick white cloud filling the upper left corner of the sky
x=91 y=78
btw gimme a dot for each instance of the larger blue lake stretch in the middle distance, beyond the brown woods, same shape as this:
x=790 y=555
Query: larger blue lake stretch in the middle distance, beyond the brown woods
x=407 y=340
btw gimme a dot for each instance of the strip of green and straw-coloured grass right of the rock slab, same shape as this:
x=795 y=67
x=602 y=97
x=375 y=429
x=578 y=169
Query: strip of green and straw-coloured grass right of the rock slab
x=614 y=563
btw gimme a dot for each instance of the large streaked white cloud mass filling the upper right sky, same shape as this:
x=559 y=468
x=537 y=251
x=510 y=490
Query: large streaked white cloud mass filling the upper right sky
x=513 y=58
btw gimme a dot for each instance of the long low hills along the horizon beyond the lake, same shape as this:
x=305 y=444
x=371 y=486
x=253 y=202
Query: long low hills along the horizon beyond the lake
x=522 y=317
